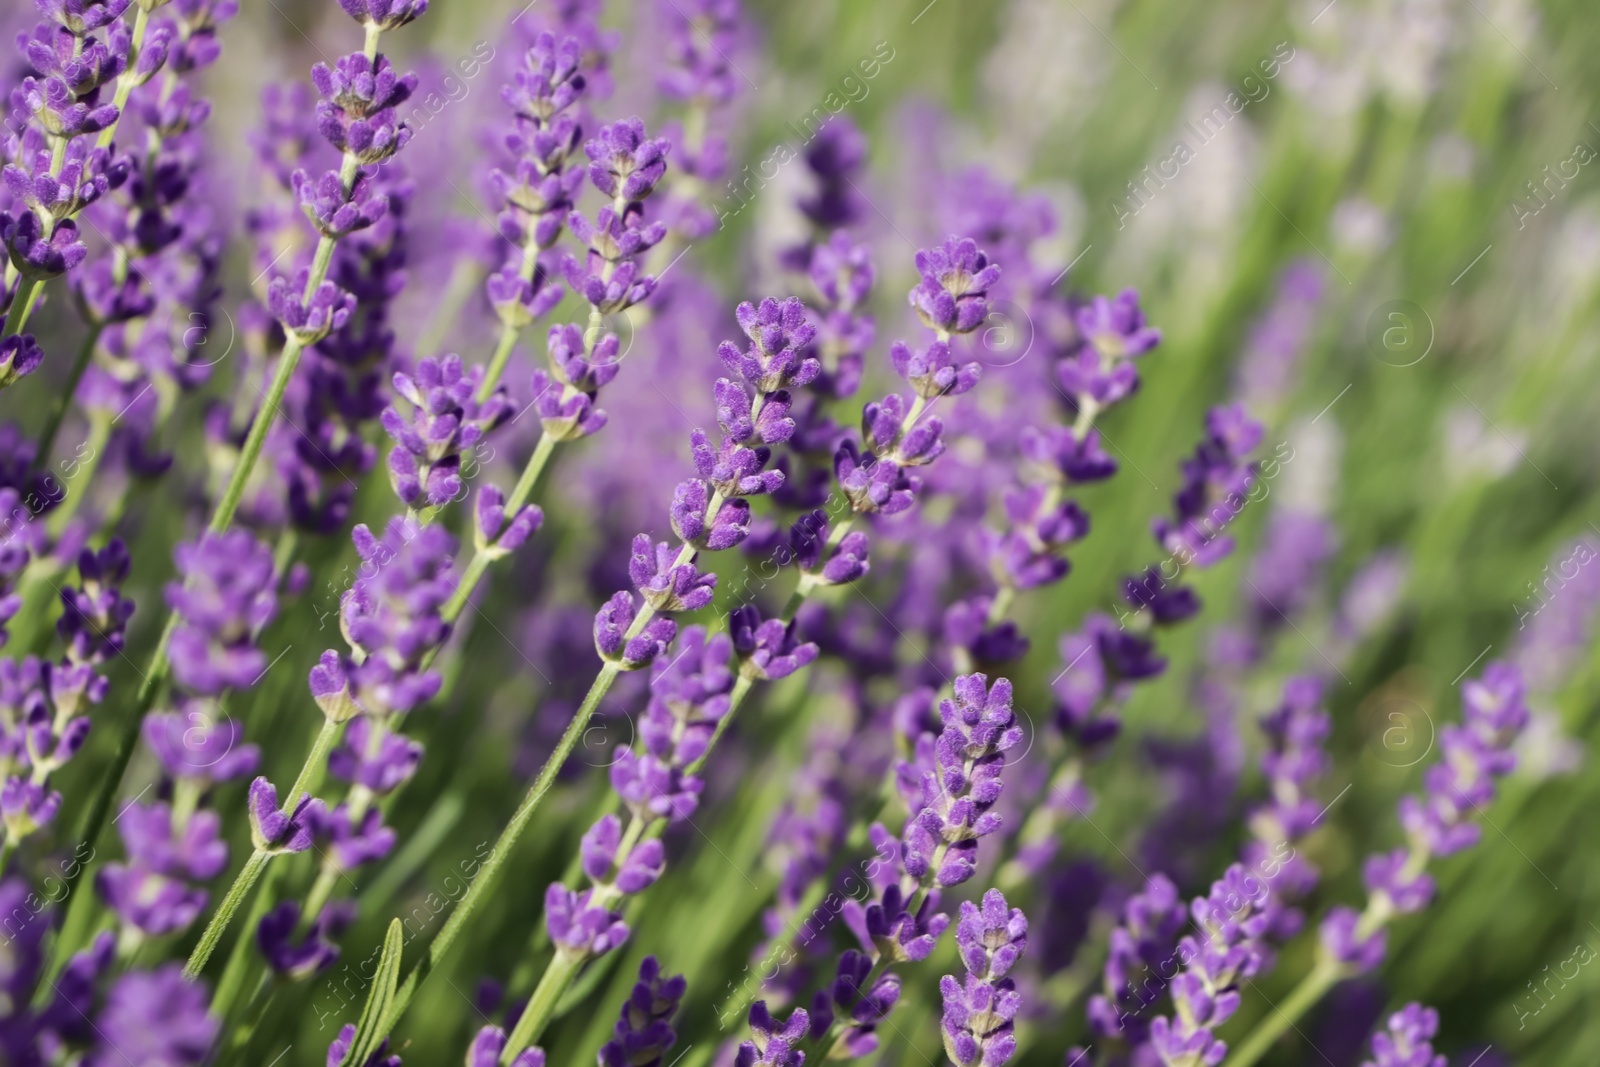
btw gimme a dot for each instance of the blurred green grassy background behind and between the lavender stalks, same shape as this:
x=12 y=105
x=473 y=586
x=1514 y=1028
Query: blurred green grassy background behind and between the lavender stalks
x=1394 y=154
